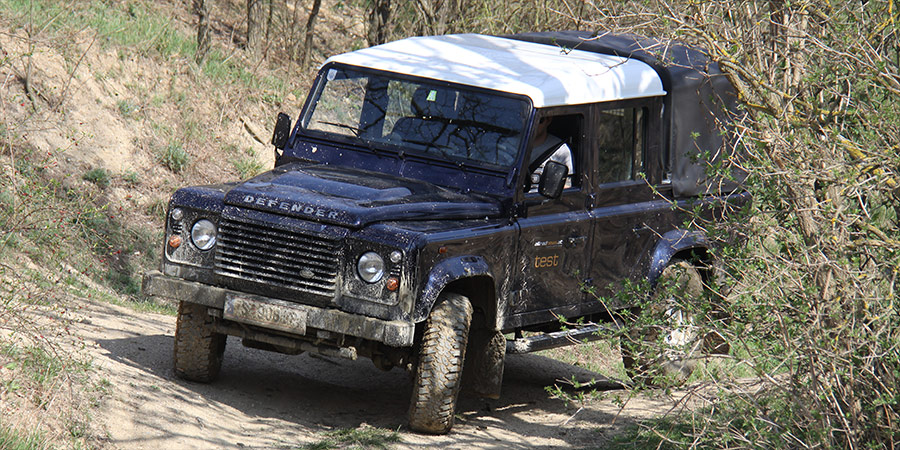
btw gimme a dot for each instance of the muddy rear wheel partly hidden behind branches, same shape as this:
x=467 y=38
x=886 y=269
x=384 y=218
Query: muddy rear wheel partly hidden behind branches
x=665 y=353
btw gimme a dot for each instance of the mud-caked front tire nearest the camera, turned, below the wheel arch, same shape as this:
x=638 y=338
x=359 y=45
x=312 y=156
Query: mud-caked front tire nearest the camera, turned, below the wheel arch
x=440 y=365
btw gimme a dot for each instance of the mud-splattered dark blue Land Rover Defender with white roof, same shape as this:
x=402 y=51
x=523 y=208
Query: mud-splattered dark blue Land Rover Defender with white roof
x=416 y=216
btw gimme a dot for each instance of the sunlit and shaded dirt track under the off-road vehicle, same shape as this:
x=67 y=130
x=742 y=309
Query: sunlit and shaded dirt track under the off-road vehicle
x=267 y=400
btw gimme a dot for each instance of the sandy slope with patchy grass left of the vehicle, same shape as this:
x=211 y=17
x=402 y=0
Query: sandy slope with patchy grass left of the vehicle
x=103 y=113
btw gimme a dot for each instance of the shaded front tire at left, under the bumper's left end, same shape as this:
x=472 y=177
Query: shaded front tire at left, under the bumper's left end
x=198 y=349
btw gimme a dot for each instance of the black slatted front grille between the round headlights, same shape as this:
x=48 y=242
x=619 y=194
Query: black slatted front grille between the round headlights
x=276 y=258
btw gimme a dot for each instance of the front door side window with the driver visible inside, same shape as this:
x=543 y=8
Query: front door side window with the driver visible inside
x=556 y=138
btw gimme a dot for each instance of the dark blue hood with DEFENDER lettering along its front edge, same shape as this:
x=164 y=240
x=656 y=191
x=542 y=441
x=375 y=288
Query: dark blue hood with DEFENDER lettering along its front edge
x=353 y=197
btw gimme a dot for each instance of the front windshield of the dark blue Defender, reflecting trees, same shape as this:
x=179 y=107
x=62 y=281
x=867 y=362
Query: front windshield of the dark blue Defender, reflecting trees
x=416 y=116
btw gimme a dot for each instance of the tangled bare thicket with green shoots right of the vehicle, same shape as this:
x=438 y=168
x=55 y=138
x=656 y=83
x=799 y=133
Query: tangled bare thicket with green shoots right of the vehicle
x=812 y=306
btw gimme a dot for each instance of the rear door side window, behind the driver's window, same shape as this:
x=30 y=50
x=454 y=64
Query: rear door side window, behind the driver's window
x=620 y=134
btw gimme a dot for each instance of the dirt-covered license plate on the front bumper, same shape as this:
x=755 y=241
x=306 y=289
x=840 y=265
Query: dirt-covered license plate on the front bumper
x=270 y=314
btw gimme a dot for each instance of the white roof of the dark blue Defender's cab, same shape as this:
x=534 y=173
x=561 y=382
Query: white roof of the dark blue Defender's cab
x=549 y=75
